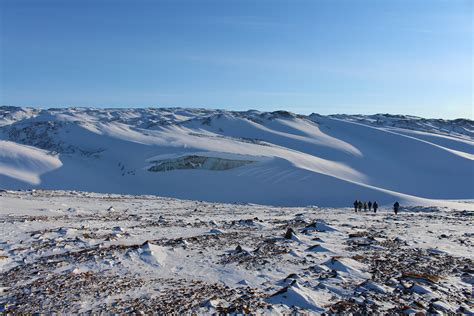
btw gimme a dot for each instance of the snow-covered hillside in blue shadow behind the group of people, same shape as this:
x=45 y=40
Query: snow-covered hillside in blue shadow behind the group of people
x=277 y=158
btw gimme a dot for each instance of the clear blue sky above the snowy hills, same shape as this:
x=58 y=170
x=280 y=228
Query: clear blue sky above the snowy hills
x=354 y=56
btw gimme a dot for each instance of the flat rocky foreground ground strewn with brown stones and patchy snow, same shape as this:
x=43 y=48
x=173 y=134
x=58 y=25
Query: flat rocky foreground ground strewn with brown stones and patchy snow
x=81 y=252
